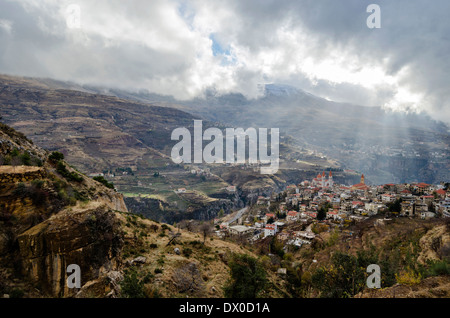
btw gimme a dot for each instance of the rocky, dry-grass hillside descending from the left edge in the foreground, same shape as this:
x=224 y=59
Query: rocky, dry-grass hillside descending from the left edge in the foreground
x=52 y=217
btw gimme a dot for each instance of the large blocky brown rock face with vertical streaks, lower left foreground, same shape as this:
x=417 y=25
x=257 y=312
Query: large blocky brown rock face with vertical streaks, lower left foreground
x=87 y=238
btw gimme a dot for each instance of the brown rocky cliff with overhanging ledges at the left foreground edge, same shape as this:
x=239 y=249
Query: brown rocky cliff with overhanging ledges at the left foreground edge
x=52 y=216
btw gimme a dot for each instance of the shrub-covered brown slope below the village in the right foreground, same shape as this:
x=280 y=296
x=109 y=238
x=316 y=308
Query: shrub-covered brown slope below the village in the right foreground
x=413 y=255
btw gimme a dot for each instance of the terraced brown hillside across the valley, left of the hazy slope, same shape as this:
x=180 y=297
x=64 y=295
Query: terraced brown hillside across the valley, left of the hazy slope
x=130 y=143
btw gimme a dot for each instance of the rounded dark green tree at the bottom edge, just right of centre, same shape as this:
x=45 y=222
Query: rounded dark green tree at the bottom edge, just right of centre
x=248 y=277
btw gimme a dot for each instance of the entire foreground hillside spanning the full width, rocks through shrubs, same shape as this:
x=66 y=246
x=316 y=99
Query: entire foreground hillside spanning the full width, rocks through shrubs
x=53 y=216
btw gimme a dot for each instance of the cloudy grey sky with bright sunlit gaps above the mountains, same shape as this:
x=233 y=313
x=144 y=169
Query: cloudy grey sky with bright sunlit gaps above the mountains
x=184 y=48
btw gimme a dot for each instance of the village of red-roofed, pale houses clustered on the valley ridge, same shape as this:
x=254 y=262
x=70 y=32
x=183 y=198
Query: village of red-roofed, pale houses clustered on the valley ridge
x=296 y=215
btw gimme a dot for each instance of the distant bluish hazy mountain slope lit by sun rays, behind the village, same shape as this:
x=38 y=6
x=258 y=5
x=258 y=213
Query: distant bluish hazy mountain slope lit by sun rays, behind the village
x=387 y=146
